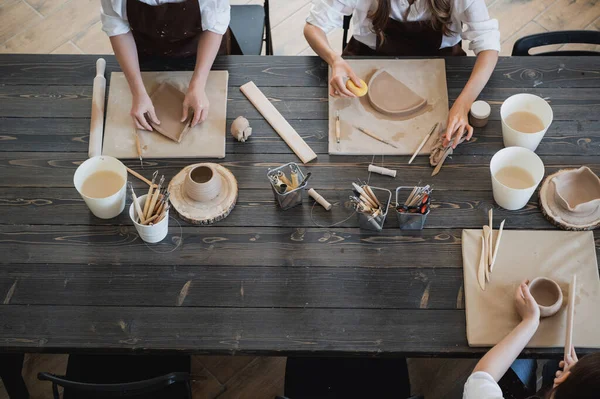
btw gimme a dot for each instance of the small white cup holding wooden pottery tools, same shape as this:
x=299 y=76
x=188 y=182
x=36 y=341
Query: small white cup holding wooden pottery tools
x=150 y=213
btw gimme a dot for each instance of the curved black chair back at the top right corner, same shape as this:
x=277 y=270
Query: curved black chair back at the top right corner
x=524 y=44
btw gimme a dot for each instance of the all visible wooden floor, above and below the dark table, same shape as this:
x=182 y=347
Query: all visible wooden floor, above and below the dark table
x=73 y=27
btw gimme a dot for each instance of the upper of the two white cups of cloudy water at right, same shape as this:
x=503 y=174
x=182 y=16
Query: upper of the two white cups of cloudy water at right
x=527 y=103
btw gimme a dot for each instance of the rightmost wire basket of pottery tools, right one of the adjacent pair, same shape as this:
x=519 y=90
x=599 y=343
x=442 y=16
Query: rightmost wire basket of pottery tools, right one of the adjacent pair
x=412 y=206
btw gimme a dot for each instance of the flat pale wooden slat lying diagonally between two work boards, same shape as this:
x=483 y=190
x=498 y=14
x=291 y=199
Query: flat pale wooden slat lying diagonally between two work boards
x=278 y=122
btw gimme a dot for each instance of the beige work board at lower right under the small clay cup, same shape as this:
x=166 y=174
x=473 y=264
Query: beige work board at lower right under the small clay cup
x=491 y=314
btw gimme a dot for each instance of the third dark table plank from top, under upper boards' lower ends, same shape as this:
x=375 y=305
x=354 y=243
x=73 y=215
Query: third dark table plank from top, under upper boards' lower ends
x=569 y=138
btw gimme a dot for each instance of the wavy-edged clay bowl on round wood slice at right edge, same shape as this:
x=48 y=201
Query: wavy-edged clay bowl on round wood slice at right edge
x=570 y=199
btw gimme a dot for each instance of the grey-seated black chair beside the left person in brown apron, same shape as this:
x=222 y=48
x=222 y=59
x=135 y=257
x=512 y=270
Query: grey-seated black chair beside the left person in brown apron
x=249 y=24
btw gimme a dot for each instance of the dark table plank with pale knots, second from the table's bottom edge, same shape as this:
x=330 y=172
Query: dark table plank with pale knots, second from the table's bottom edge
x=227 y=286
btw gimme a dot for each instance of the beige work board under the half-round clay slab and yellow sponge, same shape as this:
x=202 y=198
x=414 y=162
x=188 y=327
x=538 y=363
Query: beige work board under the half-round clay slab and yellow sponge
x=427 y=78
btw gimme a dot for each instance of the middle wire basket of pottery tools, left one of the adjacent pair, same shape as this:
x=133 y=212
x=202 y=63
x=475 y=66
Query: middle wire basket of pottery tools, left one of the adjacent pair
x=371 y=204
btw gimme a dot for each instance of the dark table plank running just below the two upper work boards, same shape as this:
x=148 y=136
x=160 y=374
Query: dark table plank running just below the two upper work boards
x=41 y=169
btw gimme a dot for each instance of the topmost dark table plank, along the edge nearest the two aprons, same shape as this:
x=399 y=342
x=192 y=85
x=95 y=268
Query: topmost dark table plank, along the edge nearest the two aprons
x=522 y=72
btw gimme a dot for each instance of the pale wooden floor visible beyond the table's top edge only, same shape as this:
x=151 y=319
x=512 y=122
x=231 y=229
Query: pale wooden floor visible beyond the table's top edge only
x=73 y=26
